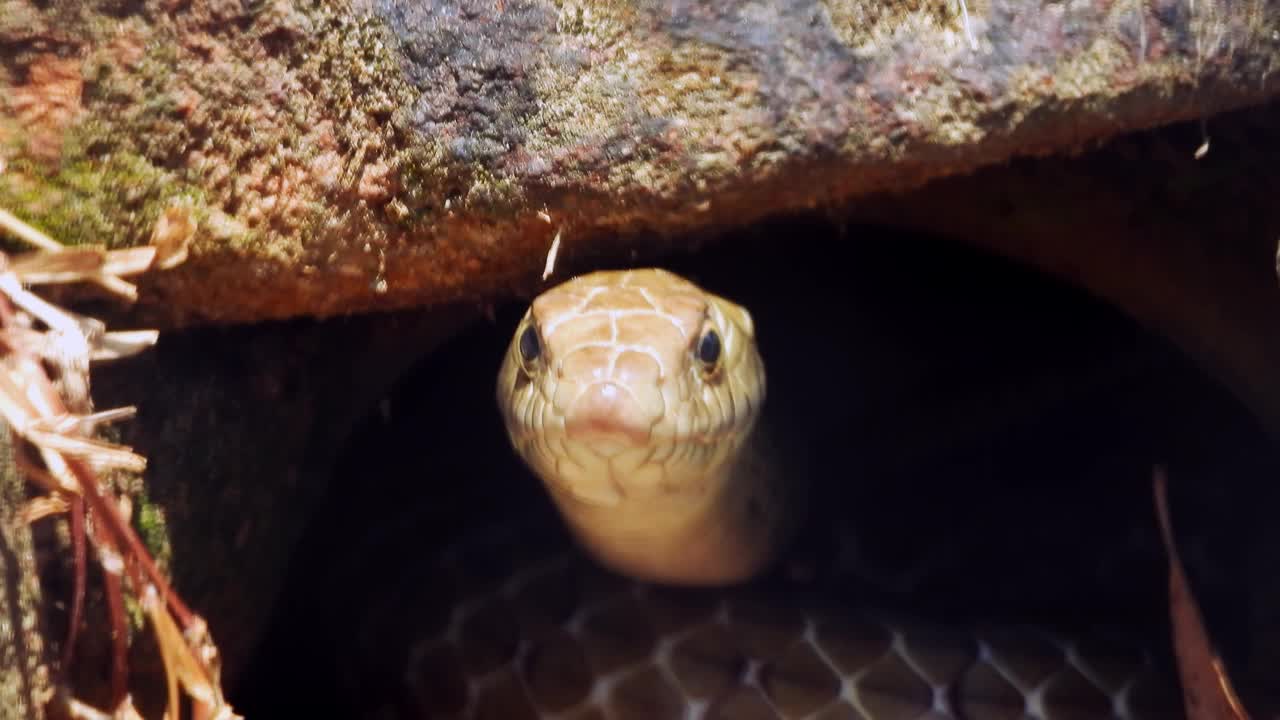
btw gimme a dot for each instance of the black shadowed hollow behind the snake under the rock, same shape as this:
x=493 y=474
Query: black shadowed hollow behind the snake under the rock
x=941 y=399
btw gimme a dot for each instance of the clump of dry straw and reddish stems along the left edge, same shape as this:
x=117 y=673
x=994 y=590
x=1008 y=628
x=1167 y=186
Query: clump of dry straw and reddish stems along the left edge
x=53 y=423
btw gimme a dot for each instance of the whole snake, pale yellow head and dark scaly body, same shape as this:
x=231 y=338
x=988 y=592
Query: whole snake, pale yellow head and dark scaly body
x=637 y=399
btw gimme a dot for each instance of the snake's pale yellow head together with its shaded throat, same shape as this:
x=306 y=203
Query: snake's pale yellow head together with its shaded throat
x=634 y=397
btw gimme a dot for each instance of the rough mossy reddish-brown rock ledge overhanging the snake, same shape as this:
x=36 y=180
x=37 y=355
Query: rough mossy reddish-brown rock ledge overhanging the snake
x=394 y=153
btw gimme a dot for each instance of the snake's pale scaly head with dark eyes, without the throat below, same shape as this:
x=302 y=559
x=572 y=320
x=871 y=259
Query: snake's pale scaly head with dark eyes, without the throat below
x=633 y=384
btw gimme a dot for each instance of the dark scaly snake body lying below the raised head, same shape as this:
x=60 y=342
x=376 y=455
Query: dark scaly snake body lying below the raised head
x=520 y=625
